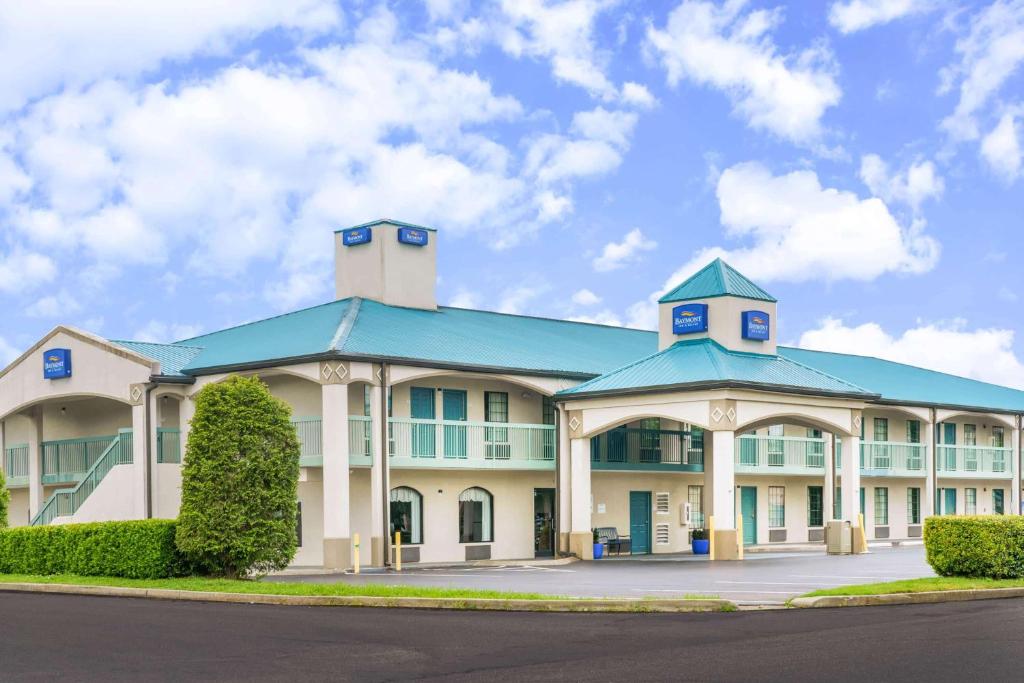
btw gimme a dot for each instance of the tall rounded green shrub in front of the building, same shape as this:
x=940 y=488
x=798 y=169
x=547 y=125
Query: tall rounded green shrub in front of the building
x=239 y=488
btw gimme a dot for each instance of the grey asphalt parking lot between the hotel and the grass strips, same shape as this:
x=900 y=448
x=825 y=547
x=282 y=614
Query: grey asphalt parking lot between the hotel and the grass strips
x=761 y=579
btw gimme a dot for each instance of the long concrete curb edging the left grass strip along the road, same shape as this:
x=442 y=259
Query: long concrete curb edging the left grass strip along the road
x=559 y=606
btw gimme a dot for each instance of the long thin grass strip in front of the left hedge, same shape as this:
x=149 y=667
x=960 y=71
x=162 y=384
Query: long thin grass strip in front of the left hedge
x=267 y=588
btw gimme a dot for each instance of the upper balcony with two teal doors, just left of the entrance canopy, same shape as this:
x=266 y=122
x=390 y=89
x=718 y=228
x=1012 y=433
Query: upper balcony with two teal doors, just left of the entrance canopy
x=440 y=444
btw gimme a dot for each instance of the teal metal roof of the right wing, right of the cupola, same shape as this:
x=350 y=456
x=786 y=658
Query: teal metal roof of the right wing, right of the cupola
x=910 y=385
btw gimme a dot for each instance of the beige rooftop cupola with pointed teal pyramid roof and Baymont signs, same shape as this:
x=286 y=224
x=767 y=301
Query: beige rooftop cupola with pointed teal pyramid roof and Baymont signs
x=720 y=304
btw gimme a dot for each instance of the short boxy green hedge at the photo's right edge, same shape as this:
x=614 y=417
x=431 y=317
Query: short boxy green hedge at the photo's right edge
x=991 y=547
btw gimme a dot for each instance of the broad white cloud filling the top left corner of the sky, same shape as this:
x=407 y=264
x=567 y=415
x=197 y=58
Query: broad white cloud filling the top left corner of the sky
x=51 y=44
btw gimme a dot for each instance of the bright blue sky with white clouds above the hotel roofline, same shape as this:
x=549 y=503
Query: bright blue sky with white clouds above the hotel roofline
x=176 y=168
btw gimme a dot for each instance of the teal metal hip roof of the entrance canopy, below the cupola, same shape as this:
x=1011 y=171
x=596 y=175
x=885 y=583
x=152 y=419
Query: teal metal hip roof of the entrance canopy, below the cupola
x=705 y=361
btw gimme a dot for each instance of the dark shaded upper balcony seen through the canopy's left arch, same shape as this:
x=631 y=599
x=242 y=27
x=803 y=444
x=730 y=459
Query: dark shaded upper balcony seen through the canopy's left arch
x=656 y=450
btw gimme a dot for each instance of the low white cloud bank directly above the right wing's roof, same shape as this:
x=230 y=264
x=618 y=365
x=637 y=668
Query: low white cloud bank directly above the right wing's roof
x=984 y=355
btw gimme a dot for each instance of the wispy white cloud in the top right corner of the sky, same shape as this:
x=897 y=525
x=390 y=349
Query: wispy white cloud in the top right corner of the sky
x=991 y=53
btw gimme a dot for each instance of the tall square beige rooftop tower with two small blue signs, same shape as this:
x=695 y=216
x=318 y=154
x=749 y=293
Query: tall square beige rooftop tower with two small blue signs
x=388 y=262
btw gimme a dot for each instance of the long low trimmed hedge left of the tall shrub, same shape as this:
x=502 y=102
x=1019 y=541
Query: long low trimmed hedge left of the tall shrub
x=143 y=549
